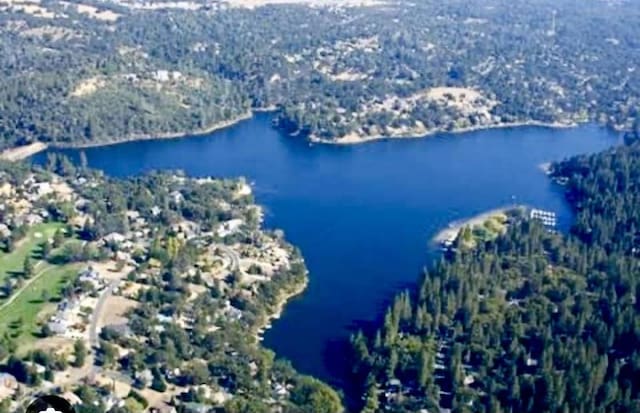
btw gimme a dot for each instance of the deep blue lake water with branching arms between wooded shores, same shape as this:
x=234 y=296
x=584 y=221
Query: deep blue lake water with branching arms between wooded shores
x=362 y=215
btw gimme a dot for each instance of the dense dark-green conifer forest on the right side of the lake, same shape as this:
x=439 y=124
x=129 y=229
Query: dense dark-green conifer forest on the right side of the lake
x=532 y=322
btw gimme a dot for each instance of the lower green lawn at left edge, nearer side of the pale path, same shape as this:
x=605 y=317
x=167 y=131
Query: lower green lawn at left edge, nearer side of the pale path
x=20 y=318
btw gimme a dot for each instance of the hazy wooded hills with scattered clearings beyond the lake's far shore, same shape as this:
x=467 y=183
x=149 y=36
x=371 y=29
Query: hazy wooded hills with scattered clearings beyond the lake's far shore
x=99 y=71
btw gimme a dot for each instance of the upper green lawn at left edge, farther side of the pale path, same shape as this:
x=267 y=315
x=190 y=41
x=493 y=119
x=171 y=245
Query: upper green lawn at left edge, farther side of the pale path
x=13 y=262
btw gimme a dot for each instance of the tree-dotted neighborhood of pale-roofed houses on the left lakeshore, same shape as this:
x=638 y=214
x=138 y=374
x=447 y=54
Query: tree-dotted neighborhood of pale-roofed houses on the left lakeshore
x=116 y=274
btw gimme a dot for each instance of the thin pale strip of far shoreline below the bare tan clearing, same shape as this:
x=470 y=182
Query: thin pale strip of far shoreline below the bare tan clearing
x=424 y=133
